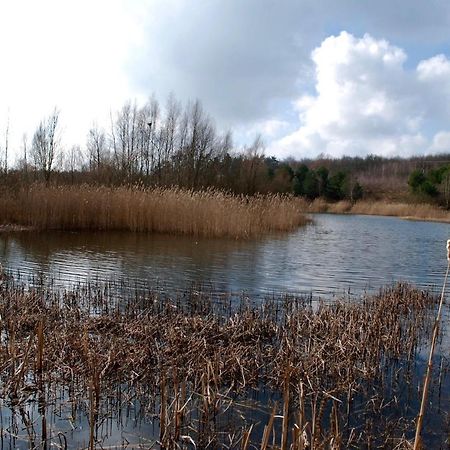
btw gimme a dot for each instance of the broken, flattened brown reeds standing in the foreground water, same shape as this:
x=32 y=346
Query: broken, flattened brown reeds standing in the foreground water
x=206 y=372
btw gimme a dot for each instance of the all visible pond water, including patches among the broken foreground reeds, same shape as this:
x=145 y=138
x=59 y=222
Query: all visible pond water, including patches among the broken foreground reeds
x=334 y=255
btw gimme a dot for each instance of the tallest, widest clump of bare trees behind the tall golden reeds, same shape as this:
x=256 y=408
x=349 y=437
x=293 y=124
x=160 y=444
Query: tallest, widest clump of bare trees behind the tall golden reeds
x=168 y=145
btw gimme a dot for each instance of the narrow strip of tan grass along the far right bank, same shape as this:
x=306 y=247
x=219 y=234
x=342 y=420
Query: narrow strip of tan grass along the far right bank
x=418 y=211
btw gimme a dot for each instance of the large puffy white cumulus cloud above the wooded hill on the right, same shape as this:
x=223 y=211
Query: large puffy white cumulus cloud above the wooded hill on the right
x=367 y=102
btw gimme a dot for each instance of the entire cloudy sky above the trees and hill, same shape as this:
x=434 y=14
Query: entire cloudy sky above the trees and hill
x=342 y=77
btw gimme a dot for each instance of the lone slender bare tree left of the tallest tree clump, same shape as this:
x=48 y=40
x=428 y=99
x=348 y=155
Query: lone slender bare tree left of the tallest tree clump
x=45 y=145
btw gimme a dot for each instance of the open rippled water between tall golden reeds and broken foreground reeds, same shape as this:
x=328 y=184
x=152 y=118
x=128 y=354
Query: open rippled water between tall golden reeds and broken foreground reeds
x=335 y=254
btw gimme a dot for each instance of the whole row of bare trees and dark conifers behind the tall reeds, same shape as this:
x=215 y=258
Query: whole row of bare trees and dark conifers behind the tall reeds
x=167 y=145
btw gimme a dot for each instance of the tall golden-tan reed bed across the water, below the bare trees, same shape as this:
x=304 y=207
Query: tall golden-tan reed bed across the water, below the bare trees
x=207 y=213
